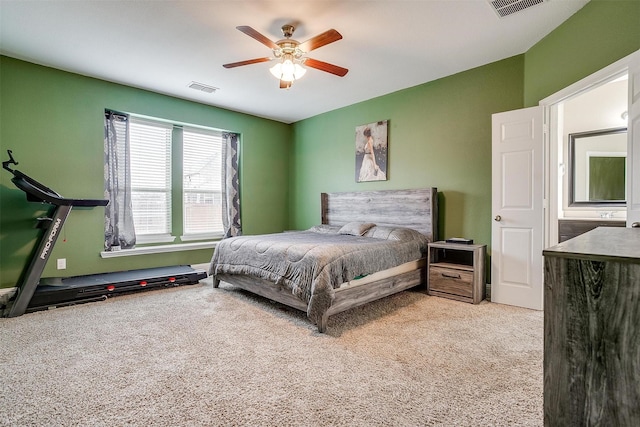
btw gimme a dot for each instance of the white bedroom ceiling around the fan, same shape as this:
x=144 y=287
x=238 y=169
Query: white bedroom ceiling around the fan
x=165 y=45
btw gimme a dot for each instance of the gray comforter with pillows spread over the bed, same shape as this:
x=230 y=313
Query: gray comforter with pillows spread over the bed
x=313 y=263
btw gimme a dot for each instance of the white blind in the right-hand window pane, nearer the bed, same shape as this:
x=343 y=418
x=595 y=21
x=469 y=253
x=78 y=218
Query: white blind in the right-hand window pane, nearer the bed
x=202 y=191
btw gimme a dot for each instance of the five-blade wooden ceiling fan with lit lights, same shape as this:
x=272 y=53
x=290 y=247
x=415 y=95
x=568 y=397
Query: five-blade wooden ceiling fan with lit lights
x=291 y=54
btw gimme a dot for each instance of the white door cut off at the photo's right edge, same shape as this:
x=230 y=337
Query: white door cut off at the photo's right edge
x=633 y=145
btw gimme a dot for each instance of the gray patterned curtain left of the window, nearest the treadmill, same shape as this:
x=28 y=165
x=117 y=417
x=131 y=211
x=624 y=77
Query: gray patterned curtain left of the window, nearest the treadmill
x=119 y=232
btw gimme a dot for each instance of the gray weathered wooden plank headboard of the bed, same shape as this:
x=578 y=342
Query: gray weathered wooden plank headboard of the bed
x=417 y=209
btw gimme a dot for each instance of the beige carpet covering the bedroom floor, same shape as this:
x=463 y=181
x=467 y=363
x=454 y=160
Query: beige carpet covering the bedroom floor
x=198 y=356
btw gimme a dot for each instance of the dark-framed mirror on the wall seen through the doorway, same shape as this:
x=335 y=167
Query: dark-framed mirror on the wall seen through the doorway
x=597 y=168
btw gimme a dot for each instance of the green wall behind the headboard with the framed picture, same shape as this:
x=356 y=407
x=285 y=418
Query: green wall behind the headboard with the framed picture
x=439 y=135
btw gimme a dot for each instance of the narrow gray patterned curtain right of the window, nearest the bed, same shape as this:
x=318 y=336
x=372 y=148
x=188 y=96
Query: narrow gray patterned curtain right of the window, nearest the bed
x=231 y=185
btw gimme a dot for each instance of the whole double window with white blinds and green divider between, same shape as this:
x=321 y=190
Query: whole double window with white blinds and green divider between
x=165 y=206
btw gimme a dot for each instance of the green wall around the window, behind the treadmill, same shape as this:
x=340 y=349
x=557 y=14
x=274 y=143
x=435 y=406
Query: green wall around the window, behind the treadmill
x=53 y=122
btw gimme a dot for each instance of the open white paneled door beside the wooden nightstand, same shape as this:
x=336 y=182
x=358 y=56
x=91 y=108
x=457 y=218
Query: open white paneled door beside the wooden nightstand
x=517 y=208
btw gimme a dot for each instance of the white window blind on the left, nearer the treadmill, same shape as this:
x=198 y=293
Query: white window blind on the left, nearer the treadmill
x=150 y=145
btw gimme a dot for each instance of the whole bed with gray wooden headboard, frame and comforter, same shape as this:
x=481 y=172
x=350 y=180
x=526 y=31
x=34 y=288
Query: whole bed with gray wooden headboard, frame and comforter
x=369 y=245
